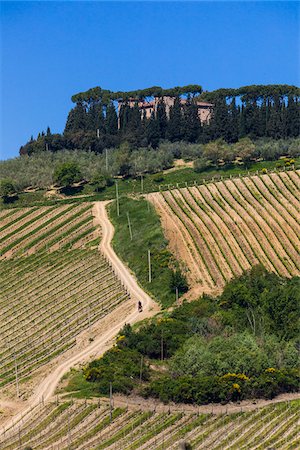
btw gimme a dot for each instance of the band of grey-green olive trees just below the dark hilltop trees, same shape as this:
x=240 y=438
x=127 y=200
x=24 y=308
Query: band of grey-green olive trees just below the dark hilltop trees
x=38 y=169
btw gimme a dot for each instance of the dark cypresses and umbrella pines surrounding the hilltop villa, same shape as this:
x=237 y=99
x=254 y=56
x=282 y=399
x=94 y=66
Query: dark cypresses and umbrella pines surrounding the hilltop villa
x=252 y=111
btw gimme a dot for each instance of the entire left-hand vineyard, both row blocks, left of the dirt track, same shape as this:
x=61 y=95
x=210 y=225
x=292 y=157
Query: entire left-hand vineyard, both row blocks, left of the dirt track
x=54 y=285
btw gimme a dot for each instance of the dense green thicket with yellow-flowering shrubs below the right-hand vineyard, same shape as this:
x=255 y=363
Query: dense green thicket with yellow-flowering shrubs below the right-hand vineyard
x=210 y=348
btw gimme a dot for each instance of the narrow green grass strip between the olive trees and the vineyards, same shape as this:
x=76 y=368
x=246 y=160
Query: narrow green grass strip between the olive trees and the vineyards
x=134 y=186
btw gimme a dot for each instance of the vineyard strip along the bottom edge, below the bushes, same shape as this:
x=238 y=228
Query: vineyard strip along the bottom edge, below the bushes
x=92 y=425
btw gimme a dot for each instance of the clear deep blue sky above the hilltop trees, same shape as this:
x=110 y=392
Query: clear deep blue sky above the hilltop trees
x=51 y=50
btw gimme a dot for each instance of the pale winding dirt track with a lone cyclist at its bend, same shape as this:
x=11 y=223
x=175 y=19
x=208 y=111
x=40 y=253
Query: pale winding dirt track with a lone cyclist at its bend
x=47 y=388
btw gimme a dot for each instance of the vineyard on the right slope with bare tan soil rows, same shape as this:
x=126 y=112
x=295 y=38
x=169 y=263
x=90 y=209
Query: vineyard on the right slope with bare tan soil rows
x=219 y=230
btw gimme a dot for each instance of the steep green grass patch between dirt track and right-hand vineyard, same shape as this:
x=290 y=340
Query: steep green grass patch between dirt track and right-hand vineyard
x=147 y=235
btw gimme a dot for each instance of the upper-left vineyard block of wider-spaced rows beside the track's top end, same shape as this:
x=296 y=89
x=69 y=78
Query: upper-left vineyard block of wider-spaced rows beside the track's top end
x=28 y=230
